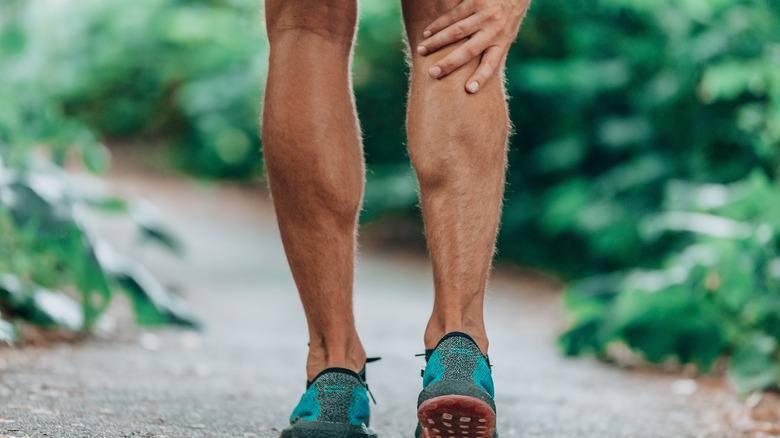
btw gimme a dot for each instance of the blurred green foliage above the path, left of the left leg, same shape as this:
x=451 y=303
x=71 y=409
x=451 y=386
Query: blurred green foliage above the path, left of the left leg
x=188 y=73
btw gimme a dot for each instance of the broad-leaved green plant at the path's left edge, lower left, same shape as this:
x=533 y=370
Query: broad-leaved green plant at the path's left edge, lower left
x=49 y=246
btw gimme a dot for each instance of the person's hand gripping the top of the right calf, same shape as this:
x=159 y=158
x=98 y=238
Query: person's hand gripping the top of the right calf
x=490 y=27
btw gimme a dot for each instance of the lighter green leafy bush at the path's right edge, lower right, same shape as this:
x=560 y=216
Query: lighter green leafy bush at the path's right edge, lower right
x=718 y=296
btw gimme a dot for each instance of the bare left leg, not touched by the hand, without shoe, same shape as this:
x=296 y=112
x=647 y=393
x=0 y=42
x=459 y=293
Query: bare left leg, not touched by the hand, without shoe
x=314 y=159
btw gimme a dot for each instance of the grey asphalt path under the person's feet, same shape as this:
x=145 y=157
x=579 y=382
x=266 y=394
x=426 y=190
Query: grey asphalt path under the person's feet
x=244 y=374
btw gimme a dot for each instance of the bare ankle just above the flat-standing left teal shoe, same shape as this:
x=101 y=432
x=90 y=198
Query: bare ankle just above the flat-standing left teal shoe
x=322 y=355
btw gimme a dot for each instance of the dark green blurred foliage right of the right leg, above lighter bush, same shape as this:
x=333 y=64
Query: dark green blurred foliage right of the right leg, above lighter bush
x=611 y=99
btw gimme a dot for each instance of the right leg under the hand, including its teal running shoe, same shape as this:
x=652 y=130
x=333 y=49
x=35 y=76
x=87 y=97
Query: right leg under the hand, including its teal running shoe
x=457 y=143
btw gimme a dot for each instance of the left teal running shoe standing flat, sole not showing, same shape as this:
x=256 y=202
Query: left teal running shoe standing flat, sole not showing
x=335 y=405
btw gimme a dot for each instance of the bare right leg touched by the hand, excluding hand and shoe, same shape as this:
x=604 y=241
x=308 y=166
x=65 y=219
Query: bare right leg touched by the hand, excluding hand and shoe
x=457 y=144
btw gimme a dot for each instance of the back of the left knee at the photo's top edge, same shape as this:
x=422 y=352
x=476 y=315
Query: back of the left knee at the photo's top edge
x=328 y=21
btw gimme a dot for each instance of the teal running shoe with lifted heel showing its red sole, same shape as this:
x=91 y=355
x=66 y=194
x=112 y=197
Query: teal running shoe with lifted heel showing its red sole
x=457 y=396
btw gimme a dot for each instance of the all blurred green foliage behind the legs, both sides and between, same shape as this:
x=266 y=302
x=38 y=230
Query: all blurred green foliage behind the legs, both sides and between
x=643 y=166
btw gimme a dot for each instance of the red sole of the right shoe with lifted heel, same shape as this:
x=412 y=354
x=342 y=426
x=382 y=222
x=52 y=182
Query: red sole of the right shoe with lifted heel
x=456 y=416
